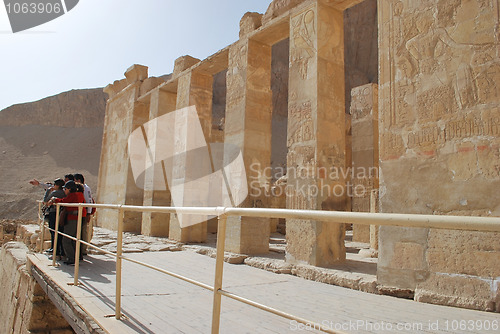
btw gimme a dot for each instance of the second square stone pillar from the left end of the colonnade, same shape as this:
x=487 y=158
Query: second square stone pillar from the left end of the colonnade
x=156 y=224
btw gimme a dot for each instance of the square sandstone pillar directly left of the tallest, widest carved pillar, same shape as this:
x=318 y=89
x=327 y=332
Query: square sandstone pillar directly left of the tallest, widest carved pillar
x=248 y=125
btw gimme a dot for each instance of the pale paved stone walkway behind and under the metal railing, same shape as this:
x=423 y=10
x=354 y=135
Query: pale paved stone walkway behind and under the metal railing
x=156 y=303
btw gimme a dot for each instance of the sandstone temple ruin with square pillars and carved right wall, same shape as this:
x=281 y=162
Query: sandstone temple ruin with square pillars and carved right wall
x=389 y=106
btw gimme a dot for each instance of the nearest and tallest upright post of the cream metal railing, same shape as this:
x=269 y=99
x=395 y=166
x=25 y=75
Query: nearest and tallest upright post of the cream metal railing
x=219 y=269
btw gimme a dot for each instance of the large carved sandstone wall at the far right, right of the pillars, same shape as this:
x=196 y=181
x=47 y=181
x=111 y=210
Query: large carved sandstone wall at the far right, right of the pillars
x=440 y=145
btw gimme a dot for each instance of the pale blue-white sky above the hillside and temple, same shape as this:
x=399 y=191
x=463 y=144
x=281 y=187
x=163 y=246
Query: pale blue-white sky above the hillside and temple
x=94 y=43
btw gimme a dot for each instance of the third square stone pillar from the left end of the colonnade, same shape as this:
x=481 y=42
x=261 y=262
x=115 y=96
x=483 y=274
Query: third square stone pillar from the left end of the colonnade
x=194 y=88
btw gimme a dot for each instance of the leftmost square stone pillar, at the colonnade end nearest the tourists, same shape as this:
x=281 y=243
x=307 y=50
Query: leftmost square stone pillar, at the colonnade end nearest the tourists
x=123 y=115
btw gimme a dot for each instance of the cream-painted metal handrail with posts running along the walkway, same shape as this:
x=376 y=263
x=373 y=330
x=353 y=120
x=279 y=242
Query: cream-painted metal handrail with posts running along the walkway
x=469 y=223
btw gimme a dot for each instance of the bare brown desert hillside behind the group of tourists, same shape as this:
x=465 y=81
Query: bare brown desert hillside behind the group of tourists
x=46 y=139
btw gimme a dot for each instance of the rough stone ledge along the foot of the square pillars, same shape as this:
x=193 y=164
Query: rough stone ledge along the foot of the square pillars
x=358 y=272
